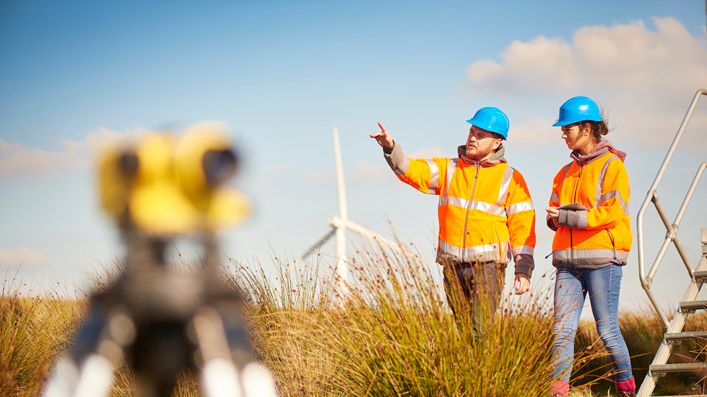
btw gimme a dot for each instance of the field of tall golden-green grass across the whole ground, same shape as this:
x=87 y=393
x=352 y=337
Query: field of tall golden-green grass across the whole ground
x=394 y=336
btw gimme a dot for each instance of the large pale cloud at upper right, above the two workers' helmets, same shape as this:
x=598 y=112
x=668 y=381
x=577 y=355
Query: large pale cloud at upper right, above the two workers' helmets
x=643 y=78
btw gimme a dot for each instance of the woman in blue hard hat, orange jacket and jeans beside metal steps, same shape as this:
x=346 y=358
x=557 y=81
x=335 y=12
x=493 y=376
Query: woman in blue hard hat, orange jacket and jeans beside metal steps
x=588 y=211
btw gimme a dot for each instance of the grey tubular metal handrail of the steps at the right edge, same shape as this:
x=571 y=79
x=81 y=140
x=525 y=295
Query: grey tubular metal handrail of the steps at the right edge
x=671 y=235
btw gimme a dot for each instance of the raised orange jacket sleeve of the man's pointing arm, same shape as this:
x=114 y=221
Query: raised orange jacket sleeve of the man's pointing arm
x=422 y=174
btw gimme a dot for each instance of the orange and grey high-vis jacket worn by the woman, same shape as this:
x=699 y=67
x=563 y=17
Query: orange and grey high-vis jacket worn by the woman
x=593 y=228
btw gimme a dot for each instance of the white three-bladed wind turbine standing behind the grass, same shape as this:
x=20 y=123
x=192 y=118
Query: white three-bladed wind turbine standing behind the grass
x=340 y=224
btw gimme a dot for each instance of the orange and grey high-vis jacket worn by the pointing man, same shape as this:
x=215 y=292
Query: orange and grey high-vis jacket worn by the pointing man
x=485 y=211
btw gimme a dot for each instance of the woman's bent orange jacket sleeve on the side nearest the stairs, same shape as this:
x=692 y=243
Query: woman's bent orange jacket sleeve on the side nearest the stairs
x=611 y=202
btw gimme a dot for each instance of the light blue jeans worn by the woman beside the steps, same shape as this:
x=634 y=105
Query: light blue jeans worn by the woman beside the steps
x=571 y=287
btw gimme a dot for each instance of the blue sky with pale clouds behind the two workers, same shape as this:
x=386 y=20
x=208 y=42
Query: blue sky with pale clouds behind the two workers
x=283 y=74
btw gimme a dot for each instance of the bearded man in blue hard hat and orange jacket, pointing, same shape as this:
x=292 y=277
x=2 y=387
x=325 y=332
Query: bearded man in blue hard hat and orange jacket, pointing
x=485 y=212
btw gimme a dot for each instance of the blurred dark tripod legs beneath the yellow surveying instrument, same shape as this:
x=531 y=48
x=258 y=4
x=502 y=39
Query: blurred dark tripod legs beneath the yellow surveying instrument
x=161 y=322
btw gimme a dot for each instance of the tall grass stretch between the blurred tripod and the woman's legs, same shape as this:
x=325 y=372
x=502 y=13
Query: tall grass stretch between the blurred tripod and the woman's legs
x=396 y=335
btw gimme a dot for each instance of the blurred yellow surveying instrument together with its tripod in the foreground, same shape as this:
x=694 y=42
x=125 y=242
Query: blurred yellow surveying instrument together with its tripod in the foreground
x=157 y=321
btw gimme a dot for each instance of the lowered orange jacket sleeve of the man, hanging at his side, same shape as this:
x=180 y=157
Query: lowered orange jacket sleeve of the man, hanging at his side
x=521 y=224
